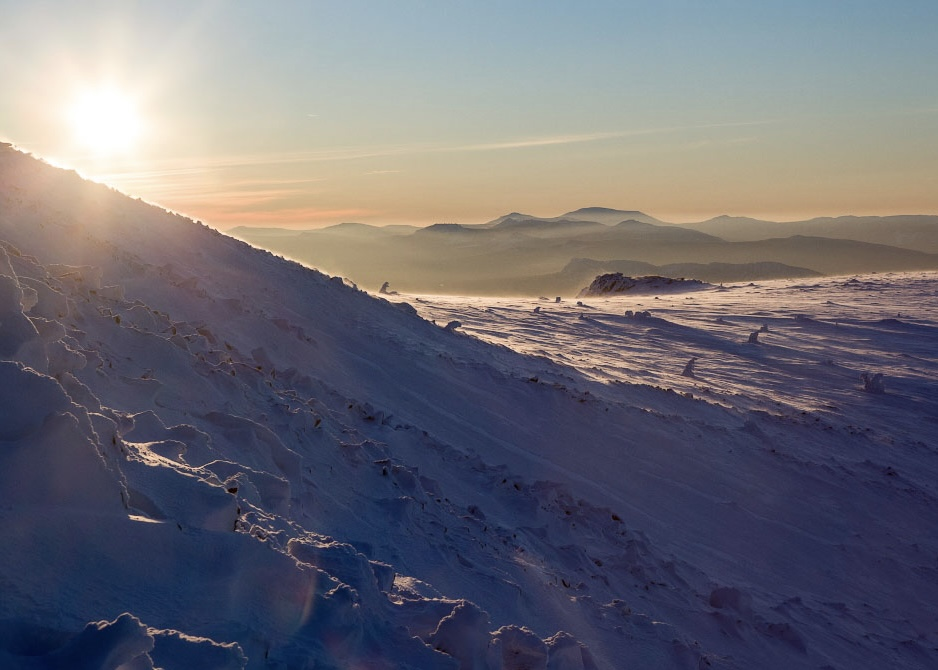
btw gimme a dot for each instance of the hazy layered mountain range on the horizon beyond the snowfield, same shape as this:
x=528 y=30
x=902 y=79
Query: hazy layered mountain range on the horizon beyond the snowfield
x=524 y=254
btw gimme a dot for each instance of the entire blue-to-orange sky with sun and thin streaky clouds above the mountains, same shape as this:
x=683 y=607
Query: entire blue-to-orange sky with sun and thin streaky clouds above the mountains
x=305 y=113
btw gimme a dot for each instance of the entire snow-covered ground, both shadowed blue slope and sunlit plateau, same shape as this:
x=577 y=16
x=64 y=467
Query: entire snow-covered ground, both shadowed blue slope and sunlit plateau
x=214 y=458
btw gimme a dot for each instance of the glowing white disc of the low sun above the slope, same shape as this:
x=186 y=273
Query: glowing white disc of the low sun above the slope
x=105 y=121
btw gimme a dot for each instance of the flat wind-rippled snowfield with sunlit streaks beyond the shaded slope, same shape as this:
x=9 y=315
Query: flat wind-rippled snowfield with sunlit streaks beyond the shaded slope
x=815 y=340
